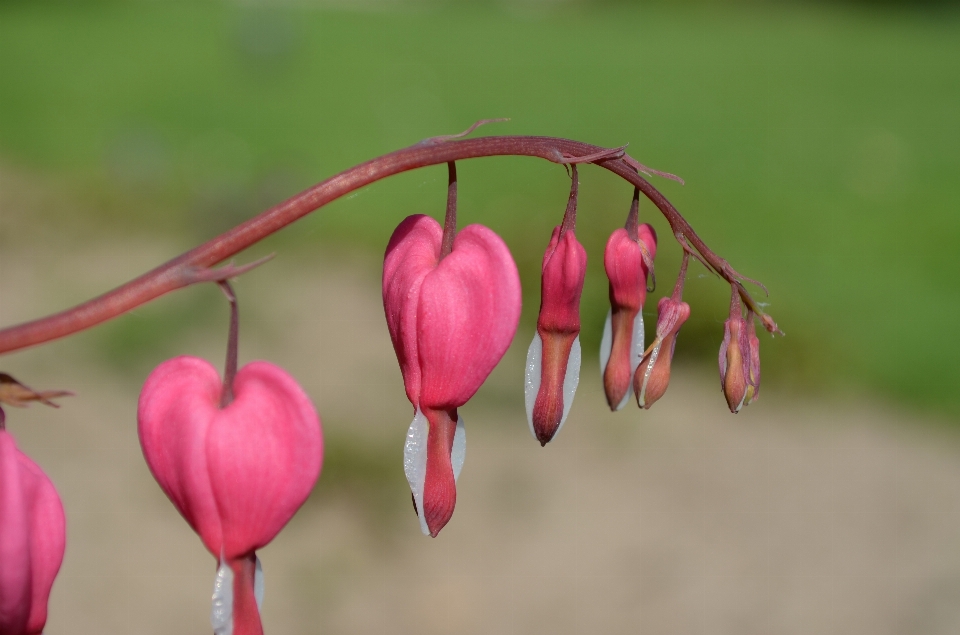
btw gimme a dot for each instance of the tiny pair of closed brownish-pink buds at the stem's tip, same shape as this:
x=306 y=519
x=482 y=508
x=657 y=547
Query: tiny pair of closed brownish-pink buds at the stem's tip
x=739 y=358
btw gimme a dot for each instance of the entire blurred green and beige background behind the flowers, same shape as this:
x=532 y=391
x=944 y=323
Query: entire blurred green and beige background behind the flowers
x=819 y=143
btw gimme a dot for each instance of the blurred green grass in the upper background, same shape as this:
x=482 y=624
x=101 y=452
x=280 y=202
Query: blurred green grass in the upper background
x=819 y=144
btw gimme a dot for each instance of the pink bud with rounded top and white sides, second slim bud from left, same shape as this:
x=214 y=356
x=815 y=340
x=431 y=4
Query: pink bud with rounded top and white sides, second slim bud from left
x=622 y=345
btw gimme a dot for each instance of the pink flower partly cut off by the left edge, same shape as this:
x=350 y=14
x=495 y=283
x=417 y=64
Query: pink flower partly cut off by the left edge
x=32 y=540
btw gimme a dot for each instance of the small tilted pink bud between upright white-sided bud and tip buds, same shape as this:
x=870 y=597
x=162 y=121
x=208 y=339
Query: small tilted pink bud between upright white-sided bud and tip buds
x=653 y=373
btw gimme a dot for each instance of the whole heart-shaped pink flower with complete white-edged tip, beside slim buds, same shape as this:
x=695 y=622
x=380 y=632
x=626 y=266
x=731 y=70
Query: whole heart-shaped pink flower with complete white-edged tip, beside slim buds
x=451 y=320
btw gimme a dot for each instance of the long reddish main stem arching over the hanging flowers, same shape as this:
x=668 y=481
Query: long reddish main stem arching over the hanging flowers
x=176 y=273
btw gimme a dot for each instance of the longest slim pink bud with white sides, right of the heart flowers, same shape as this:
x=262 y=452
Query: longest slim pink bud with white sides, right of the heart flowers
x=553 y=360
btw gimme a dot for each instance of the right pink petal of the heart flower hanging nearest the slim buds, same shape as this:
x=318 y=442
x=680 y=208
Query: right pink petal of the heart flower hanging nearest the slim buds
x=468 y=314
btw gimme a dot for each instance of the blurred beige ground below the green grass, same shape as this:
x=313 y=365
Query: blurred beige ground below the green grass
x=792 y=517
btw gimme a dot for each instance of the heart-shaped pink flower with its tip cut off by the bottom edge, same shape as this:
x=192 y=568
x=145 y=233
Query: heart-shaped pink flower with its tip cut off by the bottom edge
x=237 y=473
